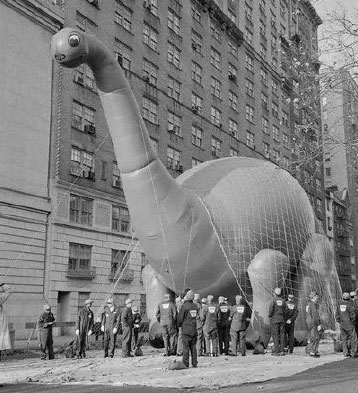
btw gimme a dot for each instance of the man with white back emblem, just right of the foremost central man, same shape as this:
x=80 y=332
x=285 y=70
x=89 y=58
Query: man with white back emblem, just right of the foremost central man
x=210 y=326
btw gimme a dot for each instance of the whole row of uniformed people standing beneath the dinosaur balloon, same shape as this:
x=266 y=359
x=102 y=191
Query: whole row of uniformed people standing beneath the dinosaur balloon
x=194 y=326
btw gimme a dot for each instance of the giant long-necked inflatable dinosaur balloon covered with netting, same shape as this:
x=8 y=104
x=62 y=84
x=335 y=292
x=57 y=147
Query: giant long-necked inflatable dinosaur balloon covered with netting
x=225 y=227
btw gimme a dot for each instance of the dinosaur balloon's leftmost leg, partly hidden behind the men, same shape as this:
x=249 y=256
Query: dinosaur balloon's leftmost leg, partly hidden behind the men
x=155 y=291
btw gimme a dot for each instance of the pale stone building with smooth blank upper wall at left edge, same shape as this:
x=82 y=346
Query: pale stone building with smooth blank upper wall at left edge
x=25 y=154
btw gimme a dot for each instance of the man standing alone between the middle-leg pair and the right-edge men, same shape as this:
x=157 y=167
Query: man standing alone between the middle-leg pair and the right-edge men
x=314 y=324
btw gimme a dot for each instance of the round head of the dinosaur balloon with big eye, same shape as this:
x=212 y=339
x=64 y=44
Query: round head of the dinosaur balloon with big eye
x=70 y=48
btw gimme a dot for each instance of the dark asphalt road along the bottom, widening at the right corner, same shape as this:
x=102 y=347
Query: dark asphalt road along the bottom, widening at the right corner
x=334 y=377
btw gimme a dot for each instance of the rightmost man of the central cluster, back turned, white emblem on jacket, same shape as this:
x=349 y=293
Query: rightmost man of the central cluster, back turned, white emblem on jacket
x=240 y=316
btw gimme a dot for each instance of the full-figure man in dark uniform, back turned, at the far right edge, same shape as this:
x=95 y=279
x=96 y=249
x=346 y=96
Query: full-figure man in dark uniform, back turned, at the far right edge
x=346 y=317
